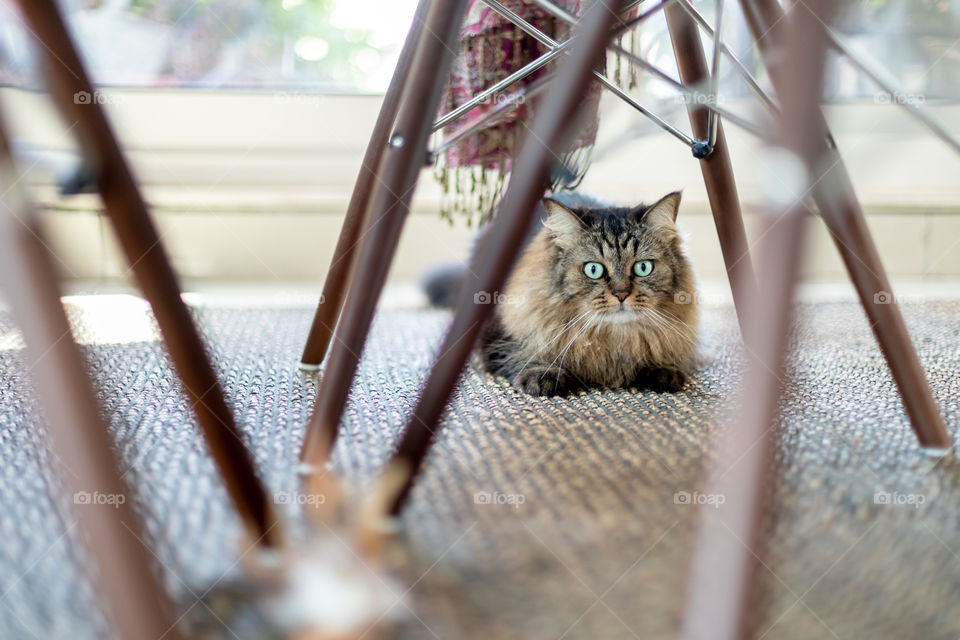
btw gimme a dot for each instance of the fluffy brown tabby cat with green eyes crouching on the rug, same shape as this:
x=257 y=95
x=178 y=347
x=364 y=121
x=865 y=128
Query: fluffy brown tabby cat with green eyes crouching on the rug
x=601 y=297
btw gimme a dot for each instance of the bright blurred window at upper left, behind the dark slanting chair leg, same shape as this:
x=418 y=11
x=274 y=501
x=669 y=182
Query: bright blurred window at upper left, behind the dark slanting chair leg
x=329 y=46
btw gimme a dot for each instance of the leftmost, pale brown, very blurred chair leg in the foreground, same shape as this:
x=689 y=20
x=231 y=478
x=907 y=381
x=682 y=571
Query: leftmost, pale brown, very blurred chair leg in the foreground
x=125 y=577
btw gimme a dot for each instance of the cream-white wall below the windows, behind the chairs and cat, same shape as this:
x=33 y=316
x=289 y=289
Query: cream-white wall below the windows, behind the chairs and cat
x=252 y=186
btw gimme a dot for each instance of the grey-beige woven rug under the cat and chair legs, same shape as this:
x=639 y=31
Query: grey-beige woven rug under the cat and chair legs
x=534 y=518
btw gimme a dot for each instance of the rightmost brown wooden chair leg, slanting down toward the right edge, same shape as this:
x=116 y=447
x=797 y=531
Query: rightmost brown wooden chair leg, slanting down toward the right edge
x=844 y=218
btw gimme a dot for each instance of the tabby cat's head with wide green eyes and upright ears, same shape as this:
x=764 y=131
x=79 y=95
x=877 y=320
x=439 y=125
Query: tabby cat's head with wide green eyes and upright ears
x=619 y=263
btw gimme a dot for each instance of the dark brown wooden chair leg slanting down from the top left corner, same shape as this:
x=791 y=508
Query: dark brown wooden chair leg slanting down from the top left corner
x=144 y=251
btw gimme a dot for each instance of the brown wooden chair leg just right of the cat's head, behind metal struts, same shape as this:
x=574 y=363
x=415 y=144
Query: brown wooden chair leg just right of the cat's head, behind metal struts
x=716 y=167
